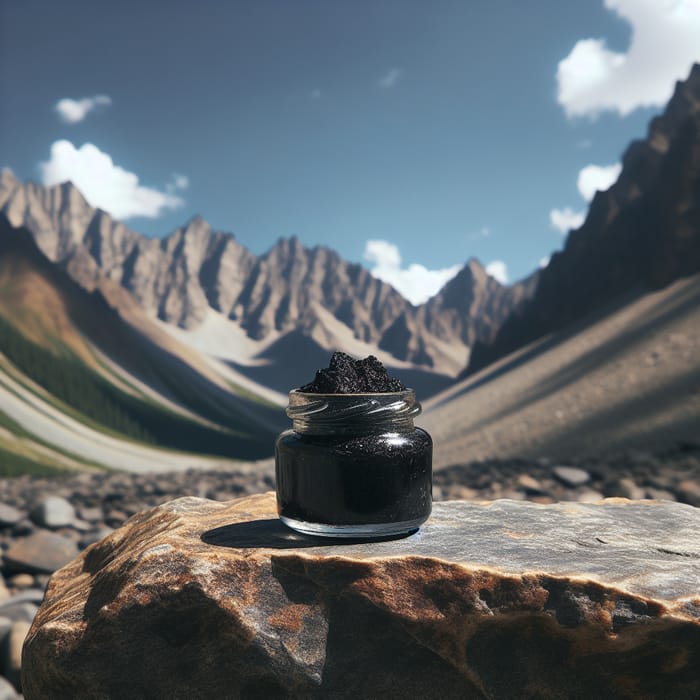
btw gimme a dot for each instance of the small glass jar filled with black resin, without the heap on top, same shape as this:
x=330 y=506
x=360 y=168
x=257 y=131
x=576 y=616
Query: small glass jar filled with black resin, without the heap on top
x=354 y=465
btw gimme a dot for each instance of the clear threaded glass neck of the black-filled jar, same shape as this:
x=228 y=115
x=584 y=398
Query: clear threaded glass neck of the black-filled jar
x=352 y=414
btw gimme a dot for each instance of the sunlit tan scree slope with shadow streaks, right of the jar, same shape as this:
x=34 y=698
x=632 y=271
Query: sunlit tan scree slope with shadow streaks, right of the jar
x=627 y=376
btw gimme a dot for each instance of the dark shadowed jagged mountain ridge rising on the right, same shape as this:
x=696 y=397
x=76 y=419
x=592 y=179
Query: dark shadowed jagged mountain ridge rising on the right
x=639 y=235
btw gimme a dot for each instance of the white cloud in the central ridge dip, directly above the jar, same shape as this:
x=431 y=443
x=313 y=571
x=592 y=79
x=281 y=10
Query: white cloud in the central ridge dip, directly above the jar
x=415 y=282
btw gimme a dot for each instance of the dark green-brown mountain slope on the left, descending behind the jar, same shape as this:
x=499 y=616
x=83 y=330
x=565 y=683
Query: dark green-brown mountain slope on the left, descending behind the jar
x=71 y=348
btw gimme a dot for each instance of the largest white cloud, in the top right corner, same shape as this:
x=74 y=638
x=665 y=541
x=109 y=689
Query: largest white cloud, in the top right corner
x=665 y=43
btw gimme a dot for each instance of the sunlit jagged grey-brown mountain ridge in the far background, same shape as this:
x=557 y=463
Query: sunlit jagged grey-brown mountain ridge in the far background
x=181 y=277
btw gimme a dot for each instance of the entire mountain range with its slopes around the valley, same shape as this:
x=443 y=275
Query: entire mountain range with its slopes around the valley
x=124 y=351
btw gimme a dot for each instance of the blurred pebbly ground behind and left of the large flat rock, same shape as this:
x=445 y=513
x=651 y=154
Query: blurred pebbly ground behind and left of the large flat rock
x=44 y=523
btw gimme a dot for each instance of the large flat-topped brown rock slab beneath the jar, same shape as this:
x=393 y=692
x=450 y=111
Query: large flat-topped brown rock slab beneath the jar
x=501 y=600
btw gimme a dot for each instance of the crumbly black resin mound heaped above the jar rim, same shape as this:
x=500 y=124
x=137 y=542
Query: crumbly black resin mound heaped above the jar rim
x=345 y=375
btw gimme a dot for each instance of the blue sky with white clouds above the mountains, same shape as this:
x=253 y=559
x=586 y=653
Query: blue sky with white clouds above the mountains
x=407 y=135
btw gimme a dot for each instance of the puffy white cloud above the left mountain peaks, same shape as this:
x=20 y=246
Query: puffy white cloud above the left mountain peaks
x=104 y=184
